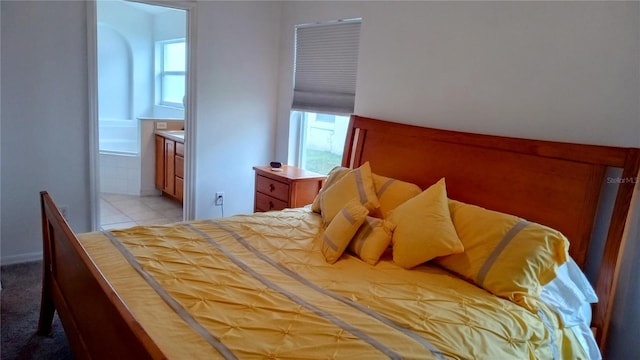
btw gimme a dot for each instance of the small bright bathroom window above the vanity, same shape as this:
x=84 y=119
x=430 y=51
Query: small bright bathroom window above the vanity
x=172 y=72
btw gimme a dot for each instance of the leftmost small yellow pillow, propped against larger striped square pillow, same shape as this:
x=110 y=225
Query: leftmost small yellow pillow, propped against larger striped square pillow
x=344 y=225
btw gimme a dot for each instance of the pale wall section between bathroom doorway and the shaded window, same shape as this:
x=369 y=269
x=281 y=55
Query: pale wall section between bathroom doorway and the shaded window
x=237 y=45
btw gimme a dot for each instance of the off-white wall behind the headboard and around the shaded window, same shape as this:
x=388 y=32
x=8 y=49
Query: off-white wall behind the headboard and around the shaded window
x=567 y=71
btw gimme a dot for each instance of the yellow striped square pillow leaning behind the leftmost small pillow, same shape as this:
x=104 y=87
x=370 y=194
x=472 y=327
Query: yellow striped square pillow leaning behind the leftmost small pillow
x=357 y=183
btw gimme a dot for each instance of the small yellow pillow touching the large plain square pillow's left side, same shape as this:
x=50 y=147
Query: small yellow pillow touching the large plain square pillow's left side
x=372 y=239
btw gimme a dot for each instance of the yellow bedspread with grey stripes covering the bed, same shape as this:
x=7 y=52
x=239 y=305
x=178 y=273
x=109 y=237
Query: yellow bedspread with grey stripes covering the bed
x=257 y=286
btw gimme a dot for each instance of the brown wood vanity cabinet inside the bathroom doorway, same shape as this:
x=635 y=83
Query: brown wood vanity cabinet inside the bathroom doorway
x=170 y=167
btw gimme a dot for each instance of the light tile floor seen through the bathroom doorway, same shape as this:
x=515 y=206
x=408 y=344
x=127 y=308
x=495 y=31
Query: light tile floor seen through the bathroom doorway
x=120 y=211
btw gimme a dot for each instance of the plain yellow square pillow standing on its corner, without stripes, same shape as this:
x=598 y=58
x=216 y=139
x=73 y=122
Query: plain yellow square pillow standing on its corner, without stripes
x=423 y=228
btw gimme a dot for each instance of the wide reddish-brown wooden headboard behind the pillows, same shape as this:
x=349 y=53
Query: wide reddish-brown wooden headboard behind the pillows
x=551 y=183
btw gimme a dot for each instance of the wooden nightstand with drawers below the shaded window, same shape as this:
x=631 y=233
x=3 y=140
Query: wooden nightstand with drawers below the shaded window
x=292 y=187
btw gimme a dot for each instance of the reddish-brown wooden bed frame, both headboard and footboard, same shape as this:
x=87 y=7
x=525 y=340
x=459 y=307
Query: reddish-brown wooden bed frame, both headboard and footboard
x=556 y=184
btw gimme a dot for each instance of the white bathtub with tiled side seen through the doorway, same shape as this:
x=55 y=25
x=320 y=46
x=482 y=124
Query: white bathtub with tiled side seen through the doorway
x=119 y=145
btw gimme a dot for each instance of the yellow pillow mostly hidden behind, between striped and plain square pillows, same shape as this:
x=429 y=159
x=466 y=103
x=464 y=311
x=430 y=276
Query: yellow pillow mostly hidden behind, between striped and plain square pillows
x=391 y=193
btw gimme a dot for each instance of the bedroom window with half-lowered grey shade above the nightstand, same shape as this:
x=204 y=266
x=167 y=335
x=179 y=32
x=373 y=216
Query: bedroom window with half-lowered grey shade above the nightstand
x=325 y=68
